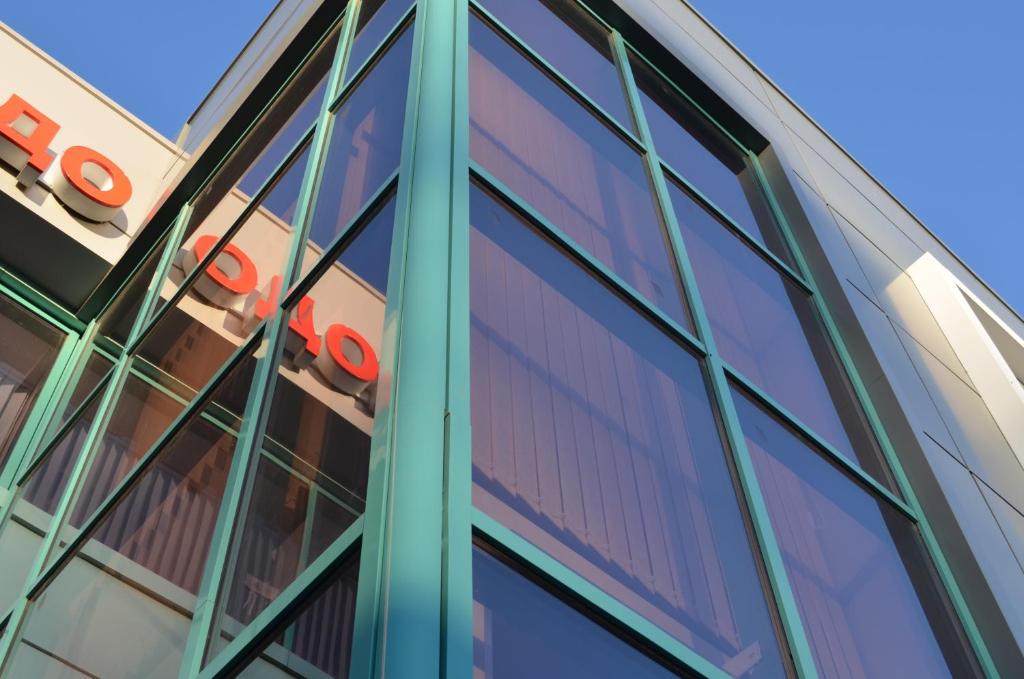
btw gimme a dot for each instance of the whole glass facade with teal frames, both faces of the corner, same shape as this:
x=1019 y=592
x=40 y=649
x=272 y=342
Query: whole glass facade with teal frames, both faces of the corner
x=484 y=351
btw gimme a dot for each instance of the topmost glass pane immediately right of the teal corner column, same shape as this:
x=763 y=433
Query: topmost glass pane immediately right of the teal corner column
x=574 y=44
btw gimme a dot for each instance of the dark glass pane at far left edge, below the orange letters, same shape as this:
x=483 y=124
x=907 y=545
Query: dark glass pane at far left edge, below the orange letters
x=29 y=347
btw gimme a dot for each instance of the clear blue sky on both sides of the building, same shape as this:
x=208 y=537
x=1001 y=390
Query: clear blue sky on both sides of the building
x=928 y=96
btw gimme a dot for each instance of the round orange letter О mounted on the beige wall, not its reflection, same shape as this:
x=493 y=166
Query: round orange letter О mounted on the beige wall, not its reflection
x=92 y=185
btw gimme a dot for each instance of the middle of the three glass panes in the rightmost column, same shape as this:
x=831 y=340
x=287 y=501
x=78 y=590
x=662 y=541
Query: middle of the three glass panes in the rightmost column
x=769 y=329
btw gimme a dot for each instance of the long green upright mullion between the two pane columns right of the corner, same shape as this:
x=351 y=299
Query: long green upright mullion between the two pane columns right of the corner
x=770 y=547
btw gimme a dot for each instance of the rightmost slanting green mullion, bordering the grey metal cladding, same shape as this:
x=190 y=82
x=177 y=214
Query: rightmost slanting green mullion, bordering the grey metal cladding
x=903 y=482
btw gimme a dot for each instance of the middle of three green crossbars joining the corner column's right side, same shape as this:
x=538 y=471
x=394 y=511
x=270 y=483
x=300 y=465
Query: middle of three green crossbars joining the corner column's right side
x=588 y=261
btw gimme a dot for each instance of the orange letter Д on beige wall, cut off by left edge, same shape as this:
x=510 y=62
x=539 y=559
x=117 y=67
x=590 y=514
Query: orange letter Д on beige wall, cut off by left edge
x=25 y=139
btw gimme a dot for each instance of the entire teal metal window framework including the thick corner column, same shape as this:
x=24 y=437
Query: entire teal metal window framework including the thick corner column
x=416 y=536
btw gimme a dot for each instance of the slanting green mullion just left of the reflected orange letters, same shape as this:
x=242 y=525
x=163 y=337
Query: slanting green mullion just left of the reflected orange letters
x=119 y=372
